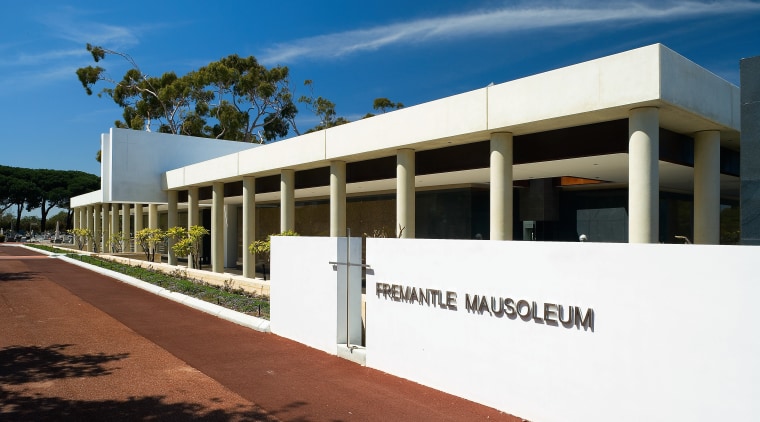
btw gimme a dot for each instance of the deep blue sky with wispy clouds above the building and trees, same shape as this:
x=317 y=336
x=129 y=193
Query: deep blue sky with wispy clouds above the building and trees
x=408 y=51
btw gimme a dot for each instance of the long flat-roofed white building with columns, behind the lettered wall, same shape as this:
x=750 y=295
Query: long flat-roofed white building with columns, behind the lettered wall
x=637 y=147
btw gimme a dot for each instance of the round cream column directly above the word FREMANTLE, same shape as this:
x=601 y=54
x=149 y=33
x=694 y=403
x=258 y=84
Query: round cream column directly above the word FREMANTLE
x=405 y=193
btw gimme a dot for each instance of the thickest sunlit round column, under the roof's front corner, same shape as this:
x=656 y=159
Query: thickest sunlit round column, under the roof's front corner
x=643 y=175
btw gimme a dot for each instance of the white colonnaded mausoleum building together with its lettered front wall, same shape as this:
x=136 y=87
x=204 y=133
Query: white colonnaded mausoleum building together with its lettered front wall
x=628 y=150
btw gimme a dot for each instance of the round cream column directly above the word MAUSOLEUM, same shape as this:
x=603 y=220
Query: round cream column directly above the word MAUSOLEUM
x=501 y=214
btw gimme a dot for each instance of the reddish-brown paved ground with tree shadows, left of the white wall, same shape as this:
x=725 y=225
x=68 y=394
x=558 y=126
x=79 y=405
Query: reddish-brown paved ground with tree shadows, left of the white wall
x=79 y=346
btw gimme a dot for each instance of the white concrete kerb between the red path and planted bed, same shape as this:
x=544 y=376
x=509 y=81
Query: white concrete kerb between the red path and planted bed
x=239 y=318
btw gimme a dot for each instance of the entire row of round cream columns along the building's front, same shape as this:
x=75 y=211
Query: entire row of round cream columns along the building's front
x=643 y=197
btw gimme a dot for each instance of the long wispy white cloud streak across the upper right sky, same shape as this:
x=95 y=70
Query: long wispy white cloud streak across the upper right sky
x=536 y=16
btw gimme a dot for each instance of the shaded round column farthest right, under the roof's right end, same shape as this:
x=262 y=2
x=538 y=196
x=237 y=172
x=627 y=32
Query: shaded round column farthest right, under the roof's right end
x=707 y=187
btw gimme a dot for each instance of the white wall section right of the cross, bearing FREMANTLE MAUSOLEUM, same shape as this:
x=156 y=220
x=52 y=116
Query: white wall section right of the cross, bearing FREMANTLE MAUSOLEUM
x=674 y=333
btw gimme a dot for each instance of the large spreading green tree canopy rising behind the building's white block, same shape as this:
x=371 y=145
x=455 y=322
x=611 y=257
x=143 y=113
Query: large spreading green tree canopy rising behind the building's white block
x=234 y=98
